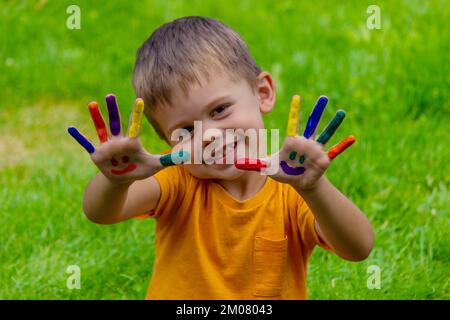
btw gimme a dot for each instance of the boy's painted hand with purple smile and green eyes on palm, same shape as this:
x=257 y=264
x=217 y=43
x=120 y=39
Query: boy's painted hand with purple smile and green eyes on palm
x=302 y=160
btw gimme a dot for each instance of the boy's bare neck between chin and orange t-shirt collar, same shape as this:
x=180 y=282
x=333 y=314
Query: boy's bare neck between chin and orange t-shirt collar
x=244 y=187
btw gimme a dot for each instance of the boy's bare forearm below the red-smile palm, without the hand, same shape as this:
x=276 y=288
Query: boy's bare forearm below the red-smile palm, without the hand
x=106 y=202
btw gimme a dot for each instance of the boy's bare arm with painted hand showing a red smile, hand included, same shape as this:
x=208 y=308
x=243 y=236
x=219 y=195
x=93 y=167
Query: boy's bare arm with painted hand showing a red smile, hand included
x=125 y=187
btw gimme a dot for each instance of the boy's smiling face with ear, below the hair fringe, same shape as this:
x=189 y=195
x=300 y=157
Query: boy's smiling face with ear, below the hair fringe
x=220 y=103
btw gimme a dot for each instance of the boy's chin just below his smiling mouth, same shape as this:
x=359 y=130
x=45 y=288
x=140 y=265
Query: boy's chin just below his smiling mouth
x=216 y=171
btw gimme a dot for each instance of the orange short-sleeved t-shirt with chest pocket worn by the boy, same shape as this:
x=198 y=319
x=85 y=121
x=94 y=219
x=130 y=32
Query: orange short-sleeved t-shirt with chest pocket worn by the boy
x=211 y=246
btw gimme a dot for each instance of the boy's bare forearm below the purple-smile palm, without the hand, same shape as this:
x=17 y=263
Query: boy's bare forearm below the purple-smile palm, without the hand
x=338 y=221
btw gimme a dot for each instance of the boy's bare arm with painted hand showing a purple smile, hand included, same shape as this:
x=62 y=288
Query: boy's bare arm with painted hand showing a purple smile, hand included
x=302 y=162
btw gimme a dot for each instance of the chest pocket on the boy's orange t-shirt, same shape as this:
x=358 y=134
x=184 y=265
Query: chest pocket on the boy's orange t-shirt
x=269 y=266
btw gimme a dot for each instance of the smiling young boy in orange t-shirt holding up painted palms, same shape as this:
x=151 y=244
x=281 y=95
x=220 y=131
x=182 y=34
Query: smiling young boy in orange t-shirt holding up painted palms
x=222 y=232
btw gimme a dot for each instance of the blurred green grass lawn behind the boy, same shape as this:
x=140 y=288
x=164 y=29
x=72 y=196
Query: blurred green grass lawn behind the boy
x=392 y=82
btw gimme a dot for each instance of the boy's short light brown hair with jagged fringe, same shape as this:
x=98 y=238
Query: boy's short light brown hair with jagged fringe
x=181 y=52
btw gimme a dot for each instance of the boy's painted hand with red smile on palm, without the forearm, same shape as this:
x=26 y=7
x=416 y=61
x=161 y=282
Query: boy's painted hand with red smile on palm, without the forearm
x=122 y=159
